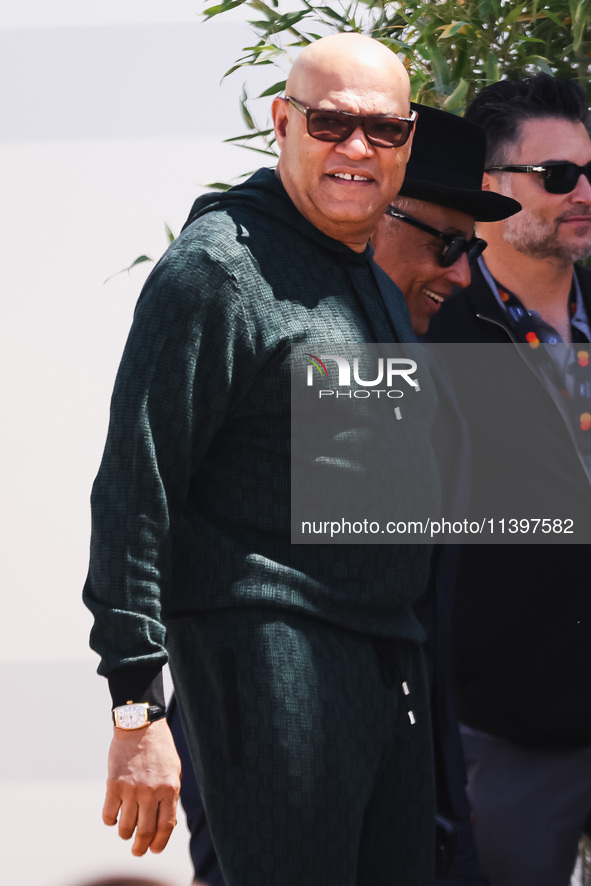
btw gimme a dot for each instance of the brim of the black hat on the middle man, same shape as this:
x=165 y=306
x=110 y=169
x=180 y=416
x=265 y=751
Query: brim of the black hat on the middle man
x=482 y=205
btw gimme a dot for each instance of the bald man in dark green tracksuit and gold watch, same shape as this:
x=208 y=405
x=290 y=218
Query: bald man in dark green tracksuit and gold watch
x=298 y=668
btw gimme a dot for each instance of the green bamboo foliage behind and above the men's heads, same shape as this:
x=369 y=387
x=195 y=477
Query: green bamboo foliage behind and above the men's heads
x=450 y=49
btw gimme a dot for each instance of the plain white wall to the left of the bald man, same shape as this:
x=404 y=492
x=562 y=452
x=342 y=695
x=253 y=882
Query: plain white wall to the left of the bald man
x=111 y=120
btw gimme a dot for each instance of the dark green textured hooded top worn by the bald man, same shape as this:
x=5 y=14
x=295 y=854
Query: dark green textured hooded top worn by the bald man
x=191 y=506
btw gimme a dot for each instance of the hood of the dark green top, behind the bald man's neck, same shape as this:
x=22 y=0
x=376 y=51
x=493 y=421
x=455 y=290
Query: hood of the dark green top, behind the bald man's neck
x=264 y=193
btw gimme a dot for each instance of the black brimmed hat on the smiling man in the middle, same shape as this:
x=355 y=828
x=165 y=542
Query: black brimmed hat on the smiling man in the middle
x=446 y=165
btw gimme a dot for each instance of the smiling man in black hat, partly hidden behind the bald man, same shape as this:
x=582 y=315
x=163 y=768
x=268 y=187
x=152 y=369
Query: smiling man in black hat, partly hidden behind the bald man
x=425 y=241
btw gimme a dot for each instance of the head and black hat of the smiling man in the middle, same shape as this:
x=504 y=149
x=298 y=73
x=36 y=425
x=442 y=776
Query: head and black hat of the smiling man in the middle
x=425 y=241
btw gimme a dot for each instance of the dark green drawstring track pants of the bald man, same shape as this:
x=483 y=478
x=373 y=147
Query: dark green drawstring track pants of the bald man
x=311 y=771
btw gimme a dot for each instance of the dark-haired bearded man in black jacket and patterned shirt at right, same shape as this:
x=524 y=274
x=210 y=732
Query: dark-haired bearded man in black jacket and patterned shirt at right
x=523 y=612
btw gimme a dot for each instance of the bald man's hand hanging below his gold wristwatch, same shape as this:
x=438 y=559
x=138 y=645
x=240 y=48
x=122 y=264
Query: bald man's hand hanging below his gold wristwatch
x=143 y=786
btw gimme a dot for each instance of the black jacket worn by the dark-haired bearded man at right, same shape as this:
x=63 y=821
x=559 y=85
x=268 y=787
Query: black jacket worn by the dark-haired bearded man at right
x=522 y=611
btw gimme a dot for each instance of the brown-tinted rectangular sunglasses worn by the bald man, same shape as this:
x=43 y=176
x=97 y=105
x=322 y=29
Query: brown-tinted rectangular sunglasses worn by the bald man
x=380 y=130
